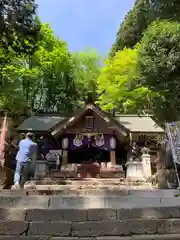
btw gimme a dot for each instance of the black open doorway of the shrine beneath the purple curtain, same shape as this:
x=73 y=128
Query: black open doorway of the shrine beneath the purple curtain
x=88 y=153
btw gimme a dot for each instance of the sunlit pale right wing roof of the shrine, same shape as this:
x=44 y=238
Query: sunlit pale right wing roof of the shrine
x=136 y=123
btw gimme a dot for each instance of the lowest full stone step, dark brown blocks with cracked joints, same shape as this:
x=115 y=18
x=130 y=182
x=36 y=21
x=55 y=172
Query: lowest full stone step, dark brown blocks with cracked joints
x=91 y=229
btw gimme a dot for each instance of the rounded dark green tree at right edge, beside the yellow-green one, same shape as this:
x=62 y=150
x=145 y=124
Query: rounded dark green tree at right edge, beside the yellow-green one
x=159 y=66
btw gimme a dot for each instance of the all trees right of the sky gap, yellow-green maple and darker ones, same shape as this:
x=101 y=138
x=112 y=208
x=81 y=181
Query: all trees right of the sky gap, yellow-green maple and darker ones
x=150 y=31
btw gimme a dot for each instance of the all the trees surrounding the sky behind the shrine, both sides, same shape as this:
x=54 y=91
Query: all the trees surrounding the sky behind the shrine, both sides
x=38 y=73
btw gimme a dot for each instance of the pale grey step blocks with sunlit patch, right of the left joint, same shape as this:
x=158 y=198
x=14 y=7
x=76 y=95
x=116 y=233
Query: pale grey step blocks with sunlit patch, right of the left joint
x=111 y=202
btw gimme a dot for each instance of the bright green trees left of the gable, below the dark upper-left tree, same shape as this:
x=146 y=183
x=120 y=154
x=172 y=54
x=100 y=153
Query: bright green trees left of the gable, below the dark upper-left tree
x=49 y=80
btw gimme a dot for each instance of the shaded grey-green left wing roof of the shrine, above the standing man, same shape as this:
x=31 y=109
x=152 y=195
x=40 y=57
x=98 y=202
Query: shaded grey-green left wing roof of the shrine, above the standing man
x=40 y=123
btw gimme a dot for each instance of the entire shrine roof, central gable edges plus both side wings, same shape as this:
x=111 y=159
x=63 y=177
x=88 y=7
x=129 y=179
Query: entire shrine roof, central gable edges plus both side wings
x=56 y=123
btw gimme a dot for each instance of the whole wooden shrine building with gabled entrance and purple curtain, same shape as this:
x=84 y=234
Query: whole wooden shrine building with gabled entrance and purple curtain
x=90 y=134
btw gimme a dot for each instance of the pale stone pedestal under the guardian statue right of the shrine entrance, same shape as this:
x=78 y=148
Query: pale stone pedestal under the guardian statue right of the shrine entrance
x=134 y=169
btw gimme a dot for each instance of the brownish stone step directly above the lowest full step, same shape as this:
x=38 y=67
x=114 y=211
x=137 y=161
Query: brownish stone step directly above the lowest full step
x=83 y=215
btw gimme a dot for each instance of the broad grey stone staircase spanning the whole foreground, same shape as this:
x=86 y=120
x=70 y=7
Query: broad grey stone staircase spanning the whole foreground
x=136 y=215
